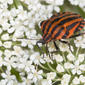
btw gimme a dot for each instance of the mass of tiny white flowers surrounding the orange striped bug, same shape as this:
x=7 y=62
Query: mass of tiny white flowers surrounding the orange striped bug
x=20 y=64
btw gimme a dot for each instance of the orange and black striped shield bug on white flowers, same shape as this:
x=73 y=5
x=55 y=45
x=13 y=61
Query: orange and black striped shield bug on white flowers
x=61 y=26
